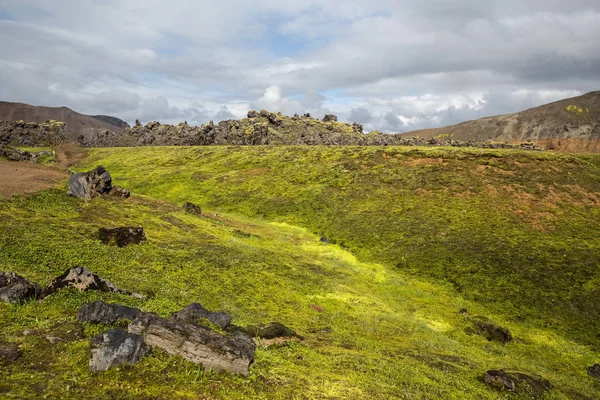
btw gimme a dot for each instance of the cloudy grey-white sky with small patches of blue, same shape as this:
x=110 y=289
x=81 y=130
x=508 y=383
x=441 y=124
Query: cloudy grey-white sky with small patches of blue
x=392 y=65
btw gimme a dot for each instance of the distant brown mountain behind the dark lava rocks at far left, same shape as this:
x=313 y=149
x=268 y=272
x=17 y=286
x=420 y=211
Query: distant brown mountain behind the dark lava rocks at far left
x=76 y=124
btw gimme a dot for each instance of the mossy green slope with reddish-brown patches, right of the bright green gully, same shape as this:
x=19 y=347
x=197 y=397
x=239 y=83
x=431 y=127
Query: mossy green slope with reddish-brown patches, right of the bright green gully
x=517 y=230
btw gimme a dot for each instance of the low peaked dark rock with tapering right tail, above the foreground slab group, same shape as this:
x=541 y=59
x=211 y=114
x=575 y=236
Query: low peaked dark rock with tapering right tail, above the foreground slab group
x=83 y=279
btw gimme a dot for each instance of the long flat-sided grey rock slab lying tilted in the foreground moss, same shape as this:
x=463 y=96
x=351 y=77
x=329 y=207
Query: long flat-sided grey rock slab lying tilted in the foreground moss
x=200 y=345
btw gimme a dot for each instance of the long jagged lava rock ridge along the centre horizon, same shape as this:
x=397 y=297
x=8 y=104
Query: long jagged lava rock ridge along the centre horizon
x=268 y=128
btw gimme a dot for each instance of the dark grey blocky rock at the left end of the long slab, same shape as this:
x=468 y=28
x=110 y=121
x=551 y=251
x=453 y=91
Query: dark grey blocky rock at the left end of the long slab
x=116 y=347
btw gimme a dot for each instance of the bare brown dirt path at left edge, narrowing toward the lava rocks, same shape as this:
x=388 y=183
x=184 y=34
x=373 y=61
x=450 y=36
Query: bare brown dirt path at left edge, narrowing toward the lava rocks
x=22 y=177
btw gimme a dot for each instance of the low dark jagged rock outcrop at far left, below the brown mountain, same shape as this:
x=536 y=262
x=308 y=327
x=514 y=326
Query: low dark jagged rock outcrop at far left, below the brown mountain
x=50 y=133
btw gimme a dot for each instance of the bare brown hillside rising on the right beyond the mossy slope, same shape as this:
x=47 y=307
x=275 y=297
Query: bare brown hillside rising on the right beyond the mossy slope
x=574 y=118
